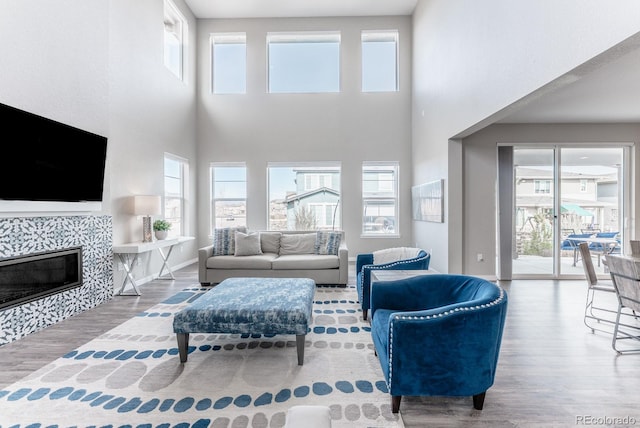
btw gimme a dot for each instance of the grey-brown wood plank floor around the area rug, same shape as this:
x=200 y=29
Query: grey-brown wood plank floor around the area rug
x=552 y=371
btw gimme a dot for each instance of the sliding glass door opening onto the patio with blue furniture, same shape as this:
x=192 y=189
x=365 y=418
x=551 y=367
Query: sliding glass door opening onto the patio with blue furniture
x=563 y=196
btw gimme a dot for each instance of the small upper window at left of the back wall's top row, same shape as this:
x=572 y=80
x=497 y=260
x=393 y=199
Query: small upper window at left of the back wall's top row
x=229 y=63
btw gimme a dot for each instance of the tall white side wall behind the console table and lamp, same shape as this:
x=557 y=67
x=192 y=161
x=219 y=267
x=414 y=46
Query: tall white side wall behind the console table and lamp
x=151 y=112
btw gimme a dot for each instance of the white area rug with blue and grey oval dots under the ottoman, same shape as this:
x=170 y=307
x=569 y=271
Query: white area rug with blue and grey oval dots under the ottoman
x=132 y=376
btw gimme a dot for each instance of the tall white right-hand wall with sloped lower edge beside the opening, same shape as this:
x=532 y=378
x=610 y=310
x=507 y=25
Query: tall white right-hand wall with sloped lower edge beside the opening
x=471 y=60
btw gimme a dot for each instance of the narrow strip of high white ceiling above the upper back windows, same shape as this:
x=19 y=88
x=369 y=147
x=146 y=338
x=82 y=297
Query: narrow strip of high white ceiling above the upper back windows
x=298 y=8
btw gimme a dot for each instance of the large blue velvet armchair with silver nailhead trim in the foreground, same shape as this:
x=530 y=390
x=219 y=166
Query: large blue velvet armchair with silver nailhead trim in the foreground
x=438 y=335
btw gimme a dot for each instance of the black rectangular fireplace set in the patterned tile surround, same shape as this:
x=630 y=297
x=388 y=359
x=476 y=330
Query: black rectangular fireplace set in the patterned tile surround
x=33 y=276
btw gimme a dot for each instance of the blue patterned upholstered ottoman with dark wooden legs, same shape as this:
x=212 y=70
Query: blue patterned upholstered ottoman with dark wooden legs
x=252 y=306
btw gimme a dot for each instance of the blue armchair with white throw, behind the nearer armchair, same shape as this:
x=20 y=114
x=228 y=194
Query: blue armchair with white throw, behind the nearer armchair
x=364 y=266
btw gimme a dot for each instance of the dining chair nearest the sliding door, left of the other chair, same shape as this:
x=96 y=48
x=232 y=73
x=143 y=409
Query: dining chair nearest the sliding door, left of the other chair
x=595 y=315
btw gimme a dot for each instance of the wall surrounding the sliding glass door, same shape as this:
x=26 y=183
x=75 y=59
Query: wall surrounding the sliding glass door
x=480 y=177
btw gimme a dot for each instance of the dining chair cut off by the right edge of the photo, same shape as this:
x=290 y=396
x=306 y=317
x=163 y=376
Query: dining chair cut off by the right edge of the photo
x=626 y=280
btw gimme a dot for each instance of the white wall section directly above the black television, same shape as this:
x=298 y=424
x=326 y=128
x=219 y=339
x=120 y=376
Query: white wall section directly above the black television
x=53 y=60
